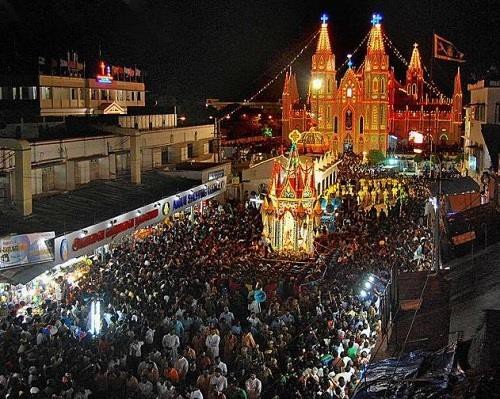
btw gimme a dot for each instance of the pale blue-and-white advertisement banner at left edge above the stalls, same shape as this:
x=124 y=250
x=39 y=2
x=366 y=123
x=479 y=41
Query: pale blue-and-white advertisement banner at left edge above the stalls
x=25 y=249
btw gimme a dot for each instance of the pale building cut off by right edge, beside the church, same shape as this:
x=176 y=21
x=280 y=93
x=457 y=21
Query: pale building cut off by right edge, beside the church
x=482 y=126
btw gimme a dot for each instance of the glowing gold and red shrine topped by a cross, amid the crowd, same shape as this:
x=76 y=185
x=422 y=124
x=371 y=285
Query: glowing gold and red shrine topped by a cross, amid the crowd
x=291 y=210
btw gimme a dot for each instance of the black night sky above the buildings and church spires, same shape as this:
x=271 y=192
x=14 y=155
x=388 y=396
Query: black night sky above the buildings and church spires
x=227 y=49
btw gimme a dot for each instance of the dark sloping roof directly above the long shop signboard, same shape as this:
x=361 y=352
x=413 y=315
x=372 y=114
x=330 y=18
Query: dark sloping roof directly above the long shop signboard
x=95 y=202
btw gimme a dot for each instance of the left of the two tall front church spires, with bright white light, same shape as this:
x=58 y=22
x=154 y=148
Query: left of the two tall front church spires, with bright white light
x=323 y=87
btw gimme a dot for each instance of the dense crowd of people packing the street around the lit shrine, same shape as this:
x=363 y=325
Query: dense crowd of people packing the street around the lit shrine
x=195 y=311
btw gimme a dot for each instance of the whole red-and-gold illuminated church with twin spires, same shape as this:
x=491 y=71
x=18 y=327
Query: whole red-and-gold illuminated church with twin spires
x=368 y=107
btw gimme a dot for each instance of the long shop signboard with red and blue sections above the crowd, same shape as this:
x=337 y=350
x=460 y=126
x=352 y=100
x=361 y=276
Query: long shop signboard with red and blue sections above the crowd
x=85 y=241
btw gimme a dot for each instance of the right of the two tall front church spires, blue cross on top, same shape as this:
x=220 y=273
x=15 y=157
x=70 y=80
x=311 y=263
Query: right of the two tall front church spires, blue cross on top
x=375 y=79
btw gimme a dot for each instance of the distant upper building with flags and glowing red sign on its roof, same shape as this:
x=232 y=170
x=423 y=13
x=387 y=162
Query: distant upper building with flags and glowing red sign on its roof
x=61 y=92
